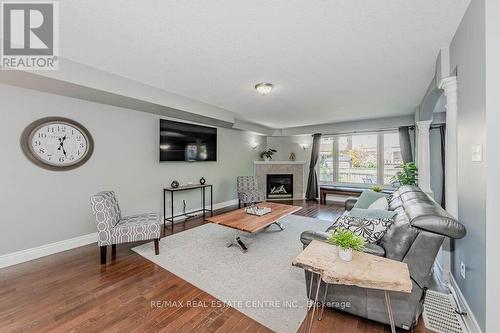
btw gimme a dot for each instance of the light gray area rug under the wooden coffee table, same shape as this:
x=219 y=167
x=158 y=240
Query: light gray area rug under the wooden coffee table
x=260 y=283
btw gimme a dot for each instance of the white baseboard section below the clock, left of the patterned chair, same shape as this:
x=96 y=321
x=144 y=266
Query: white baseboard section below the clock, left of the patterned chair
x=18 y=257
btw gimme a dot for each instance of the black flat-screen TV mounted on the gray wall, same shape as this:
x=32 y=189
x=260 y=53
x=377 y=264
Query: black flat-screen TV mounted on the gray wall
x=187 y=142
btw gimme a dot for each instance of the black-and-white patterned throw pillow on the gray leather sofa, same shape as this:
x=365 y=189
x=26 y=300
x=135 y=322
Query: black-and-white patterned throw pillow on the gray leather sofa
x=371 y=229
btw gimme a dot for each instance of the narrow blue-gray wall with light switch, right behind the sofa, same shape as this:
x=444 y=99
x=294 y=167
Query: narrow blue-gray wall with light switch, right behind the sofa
x=467 y=53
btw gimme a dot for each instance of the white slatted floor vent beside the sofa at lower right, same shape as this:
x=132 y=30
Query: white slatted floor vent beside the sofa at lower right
x=440 y=315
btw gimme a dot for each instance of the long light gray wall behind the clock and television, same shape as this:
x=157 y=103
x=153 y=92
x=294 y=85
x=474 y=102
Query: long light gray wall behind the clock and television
x=41 y=207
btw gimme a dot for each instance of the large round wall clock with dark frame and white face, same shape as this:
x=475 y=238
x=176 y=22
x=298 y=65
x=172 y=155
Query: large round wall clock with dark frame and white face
x=57 y=143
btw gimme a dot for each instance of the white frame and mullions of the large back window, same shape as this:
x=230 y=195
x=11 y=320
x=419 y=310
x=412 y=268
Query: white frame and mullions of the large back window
x=380 y=160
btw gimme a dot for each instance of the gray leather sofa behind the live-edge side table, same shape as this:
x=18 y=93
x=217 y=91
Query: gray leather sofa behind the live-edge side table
x=415 y=237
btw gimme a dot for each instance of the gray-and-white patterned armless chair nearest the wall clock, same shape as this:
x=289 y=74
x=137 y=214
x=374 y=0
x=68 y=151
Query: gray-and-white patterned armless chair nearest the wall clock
x=114 y=229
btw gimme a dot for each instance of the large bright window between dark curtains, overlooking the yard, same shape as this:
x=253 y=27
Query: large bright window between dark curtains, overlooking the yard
x=355 y=159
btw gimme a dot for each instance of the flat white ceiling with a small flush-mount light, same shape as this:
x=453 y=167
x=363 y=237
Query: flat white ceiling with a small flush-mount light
x=330 y=61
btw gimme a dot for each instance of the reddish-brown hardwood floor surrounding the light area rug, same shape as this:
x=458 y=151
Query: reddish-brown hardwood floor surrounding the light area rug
x=71 y=291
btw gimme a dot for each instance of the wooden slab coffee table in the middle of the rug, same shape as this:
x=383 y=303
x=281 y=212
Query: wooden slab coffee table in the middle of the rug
x=241 y=221
